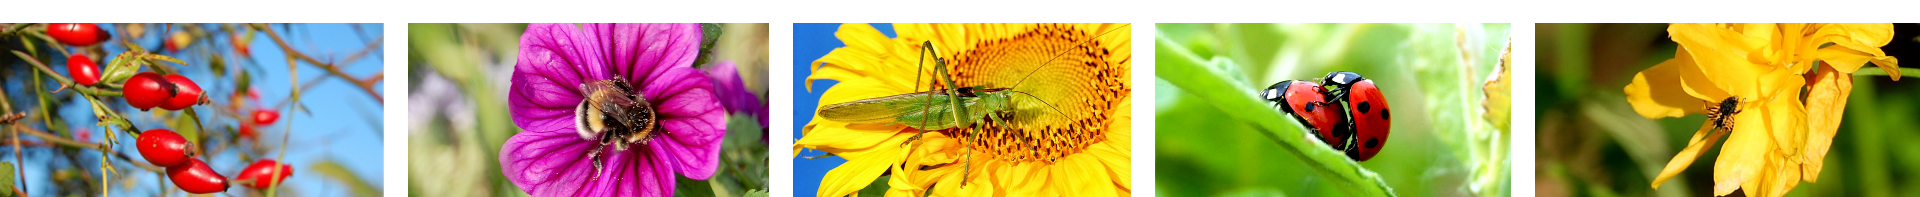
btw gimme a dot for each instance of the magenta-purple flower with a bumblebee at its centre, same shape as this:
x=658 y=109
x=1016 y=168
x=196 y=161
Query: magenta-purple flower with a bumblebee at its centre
x=550 y=160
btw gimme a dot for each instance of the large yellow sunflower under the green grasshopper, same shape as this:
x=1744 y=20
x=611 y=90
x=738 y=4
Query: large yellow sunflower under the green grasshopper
x=1086 y=148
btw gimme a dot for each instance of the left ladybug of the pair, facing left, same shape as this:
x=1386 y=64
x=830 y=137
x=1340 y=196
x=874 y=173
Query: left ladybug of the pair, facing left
x=1308 y=104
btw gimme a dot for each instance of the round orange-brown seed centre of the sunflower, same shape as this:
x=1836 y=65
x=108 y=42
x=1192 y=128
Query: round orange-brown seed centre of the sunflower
x=1082 y=79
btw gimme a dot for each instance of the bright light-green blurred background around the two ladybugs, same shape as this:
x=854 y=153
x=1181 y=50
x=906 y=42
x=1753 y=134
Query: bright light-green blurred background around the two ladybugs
x=1441 y=146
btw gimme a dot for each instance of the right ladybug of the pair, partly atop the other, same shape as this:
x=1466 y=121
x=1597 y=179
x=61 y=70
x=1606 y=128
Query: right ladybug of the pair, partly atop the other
x=1370 y=112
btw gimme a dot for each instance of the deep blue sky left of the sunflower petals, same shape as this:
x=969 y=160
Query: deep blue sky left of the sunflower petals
x=811 y=41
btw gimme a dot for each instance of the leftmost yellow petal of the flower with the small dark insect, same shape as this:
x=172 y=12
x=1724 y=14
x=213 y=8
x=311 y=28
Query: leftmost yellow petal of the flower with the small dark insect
x=1656 y=95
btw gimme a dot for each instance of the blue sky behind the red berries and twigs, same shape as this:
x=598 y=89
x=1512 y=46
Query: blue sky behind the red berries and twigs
x=345 y=125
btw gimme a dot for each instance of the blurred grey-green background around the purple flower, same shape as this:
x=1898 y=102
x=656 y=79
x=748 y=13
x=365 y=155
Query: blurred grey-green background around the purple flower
x=458 y=114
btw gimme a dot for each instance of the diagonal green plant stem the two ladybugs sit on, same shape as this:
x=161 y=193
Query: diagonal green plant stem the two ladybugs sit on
x=1180 y=68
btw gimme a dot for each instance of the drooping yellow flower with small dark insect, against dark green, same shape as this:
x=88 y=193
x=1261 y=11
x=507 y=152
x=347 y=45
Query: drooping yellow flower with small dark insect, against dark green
x=1775 y=141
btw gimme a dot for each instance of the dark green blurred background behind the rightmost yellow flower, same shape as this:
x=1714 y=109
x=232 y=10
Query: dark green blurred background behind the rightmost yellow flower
x=1591 y=142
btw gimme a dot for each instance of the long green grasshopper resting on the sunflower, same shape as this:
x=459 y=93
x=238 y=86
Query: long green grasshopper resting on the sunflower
x=957 y=104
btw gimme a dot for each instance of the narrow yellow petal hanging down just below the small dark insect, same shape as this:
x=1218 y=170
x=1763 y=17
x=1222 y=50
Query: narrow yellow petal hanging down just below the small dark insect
x=1744 y=154
